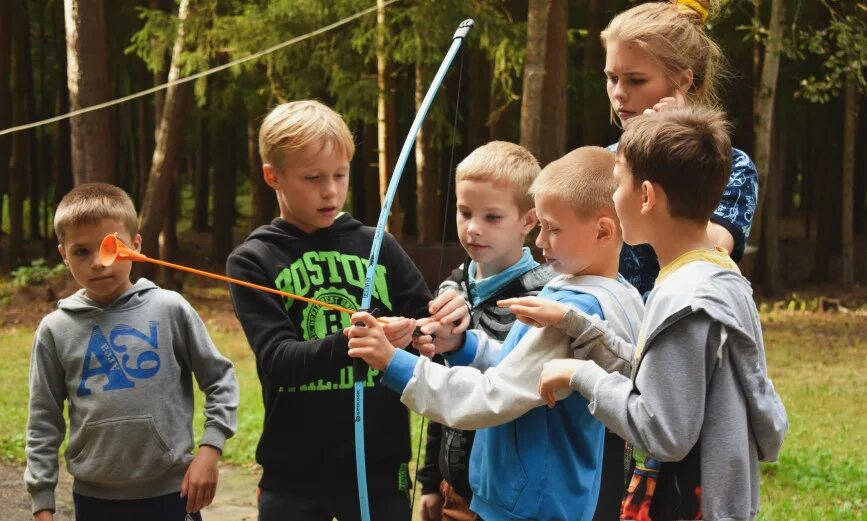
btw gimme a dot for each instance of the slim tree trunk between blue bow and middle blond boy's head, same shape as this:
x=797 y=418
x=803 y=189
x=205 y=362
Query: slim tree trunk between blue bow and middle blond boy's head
x=427 y=169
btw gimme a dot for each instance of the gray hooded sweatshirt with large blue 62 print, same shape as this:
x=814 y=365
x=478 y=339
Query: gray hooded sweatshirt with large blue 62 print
x=126 y=371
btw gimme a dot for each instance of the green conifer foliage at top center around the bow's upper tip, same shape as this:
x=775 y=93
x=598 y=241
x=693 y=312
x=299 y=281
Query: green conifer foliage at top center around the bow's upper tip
x=339 y=66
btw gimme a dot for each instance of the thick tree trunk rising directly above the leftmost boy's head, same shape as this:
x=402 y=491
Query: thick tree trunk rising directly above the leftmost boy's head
x=87 y=77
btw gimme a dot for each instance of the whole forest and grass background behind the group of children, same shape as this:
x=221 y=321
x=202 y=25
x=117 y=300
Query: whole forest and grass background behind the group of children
x=532 y=74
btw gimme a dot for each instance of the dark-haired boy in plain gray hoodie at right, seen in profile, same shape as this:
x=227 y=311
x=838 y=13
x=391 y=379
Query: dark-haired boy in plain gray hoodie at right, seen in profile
x=699 y=409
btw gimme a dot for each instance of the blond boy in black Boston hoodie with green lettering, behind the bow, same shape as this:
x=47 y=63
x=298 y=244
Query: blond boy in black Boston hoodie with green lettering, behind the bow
x=315 y=250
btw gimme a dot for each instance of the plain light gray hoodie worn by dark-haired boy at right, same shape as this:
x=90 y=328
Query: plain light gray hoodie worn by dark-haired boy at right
x=699 y=382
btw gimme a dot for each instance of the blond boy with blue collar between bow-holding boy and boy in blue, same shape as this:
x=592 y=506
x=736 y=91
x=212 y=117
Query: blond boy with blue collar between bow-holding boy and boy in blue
x=494 y=216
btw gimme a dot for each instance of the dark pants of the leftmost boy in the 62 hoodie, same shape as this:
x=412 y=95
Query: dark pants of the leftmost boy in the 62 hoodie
x=171 y=507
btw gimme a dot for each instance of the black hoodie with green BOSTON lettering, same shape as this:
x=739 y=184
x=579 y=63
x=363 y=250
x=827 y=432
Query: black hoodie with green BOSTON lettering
x=301 y=352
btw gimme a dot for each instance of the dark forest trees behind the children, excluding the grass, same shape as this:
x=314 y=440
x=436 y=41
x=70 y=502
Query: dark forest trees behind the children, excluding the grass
x=532 y=73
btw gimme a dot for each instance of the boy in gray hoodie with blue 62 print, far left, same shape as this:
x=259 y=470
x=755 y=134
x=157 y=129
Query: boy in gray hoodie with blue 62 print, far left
x=122 y=355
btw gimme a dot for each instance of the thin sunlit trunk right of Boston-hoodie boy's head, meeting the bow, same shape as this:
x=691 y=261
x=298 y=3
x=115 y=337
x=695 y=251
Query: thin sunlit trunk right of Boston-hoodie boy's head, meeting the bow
x=386 y=110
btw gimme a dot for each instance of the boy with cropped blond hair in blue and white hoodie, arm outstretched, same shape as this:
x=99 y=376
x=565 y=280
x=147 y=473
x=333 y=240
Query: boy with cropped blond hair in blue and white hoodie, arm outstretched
x=527 y=461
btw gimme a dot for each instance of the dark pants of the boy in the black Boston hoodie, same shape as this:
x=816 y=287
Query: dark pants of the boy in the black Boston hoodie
x=325 y=505
